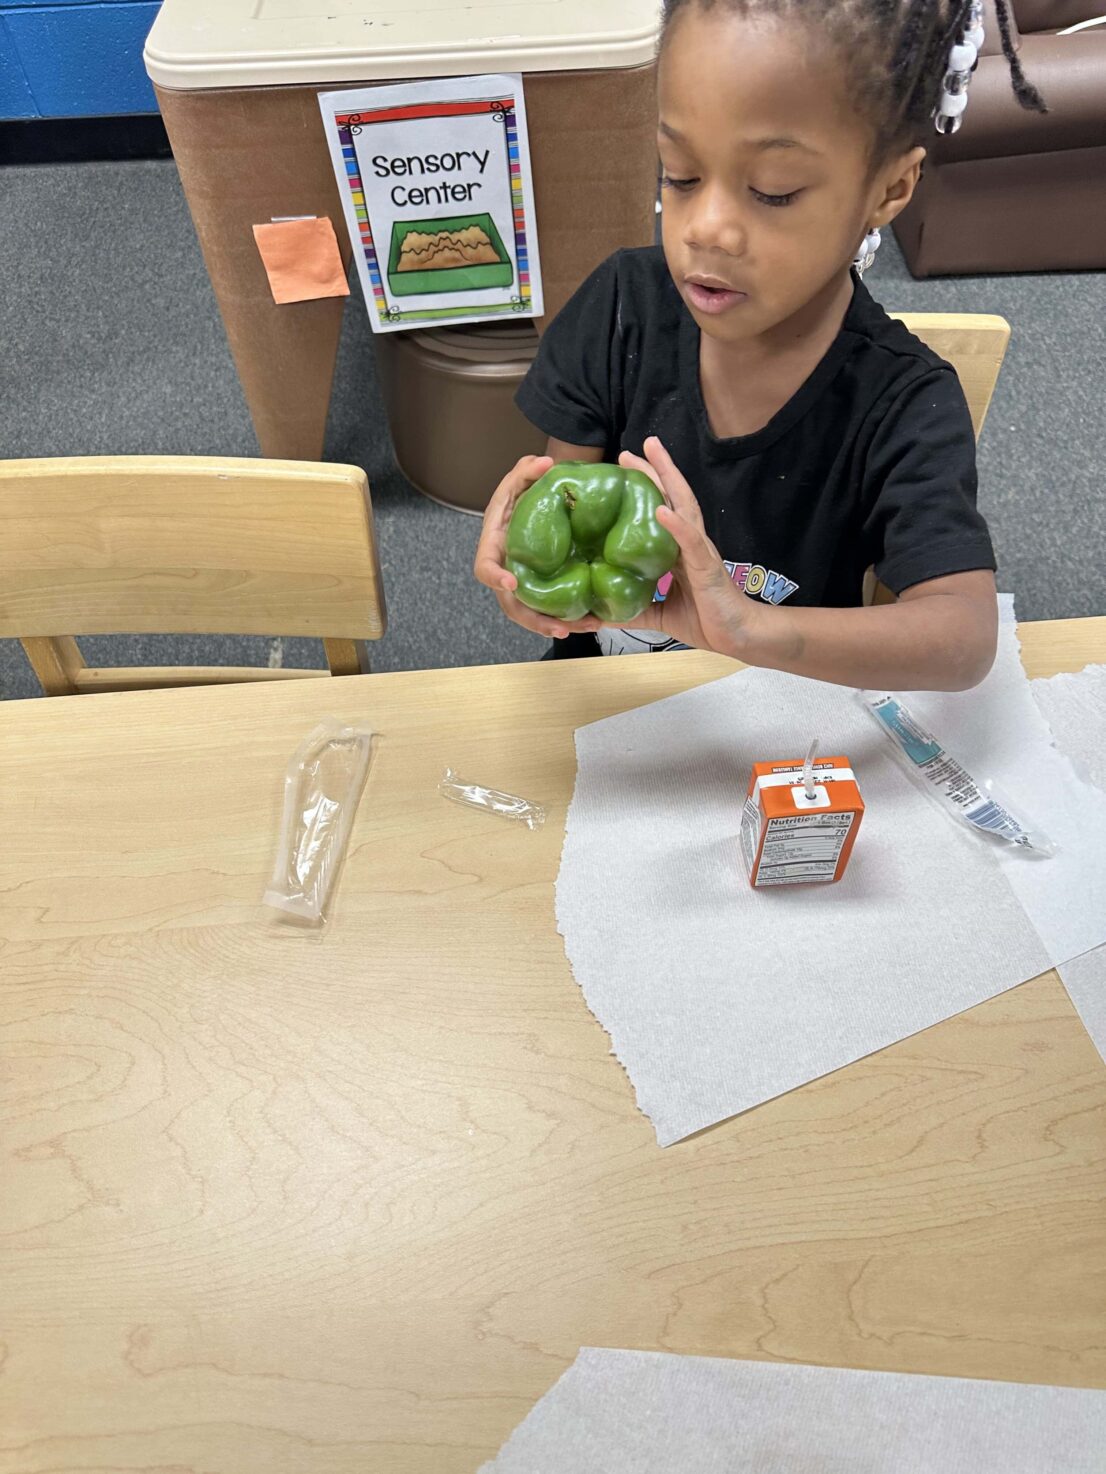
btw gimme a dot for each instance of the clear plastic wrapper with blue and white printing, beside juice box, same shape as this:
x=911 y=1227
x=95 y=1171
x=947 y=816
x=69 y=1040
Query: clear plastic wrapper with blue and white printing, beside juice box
x=978 y=803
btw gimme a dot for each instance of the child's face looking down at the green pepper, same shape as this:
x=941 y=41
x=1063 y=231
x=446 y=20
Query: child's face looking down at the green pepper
x=773 y=172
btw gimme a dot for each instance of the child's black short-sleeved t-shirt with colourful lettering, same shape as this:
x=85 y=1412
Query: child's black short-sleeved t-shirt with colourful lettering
x=871 y=464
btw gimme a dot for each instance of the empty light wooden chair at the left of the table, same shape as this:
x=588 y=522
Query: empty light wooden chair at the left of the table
x=178 y=545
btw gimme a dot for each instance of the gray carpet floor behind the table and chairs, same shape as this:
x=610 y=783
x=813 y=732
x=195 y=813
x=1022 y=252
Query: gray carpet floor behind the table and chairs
x=111 y=344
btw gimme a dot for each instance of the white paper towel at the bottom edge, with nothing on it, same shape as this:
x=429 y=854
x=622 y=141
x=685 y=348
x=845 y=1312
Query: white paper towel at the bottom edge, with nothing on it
x=651 y=1413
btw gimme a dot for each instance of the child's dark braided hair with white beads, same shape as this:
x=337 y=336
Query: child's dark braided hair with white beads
x=897 y=54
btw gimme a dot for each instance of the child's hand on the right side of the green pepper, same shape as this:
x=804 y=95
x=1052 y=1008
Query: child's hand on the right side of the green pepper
x=704 y=608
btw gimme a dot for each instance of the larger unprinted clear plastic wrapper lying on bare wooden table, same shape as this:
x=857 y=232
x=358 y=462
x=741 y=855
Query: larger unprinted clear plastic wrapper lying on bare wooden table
x=324 y=786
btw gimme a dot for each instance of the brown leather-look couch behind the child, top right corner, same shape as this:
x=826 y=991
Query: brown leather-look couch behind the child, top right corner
x=1018 y=191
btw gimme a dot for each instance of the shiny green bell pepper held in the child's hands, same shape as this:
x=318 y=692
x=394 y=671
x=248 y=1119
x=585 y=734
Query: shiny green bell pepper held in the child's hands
x=586 y=540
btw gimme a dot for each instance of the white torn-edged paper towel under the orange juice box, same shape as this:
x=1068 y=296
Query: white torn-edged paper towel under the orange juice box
x=717 y=997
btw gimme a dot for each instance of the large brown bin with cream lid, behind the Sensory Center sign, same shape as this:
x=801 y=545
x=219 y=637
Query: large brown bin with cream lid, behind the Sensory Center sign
x=238 y=88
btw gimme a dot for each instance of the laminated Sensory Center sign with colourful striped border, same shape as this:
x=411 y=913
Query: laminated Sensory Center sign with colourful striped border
x=439 y=200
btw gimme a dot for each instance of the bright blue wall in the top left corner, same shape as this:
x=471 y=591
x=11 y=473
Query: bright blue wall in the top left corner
x=74 y=58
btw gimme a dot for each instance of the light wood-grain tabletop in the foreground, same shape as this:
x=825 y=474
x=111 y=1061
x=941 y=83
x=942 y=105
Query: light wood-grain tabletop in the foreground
x=276 y=1205
